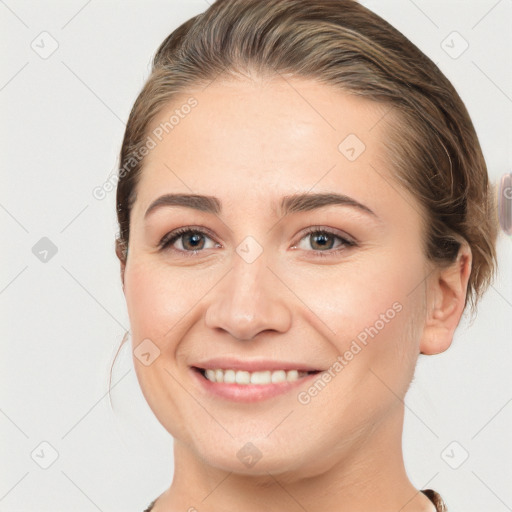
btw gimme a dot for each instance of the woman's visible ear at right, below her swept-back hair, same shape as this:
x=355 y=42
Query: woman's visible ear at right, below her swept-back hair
x=445 y=302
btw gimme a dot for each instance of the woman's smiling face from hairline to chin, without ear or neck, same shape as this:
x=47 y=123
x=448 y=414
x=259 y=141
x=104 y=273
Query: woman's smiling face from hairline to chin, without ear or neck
x=266 y=284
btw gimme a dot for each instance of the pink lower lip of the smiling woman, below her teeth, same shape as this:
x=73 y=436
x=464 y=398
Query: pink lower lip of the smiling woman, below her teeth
x=249 y=392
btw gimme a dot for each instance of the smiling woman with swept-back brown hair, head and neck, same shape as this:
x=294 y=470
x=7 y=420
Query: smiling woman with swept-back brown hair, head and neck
x=304 y=208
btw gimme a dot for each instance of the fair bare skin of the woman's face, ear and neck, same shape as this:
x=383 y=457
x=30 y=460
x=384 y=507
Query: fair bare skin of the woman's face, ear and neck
x=248 y=143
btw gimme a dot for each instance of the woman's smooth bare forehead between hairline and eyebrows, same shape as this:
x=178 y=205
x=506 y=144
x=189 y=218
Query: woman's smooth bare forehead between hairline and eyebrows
x=248 y=138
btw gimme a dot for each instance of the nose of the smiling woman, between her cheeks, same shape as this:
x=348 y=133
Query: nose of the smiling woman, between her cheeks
x=250 y=299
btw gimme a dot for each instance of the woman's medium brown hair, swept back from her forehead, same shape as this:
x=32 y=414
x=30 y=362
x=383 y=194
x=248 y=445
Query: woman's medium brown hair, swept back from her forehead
x=432 y=145
